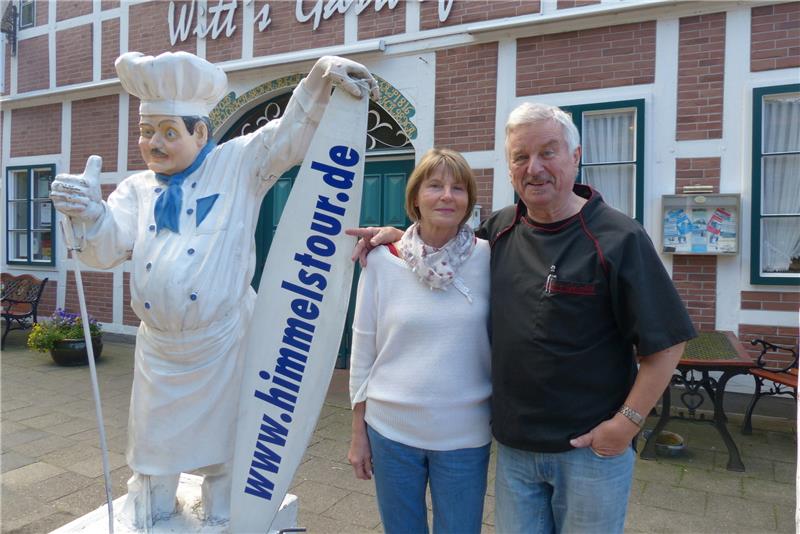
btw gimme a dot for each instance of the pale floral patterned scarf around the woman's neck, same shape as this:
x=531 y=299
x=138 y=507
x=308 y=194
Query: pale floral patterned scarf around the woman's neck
x=437 y=268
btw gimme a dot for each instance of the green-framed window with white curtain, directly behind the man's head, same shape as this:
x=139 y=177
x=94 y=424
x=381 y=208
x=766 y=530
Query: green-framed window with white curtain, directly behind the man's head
x=612 y=160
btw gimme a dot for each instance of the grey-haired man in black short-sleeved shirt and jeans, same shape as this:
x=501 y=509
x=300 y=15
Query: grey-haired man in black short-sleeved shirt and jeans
x=578 y=292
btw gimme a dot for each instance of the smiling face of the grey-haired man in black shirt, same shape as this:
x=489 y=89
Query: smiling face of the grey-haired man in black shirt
x=542 y=168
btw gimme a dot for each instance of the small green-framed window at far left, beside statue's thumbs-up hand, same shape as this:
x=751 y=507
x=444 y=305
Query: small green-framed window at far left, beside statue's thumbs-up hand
x=30 y=215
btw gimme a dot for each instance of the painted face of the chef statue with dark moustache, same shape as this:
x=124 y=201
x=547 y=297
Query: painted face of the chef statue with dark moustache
x=167 y=146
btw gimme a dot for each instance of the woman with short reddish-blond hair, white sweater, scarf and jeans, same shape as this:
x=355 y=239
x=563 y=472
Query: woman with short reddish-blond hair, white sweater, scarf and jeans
x=420 y=363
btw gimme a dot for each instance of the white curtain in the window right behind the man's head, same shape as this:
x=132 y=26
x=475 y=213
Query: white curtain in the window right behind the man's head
x=608 y=137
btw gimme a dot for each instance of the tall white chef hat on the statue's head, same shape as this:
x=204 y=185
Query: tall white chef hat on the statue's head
x=172 y=83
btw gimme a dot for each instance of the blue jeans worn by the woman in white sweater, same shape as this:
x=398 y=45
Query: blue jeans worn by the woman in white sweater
x=457 y=479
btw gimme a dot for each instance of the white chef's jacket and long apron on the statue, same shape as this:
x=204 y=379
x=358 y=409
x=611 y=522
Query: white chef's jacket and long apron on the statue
x=192 y=291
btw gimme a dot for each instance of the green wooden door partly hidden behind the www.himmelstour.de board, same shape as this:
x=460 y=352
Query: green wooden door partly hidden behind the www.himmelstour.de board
x=382 y=204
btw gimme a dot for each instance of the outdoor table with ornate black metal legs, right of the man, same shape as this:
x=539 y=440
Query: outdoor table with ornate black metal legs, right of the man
x=710 y=351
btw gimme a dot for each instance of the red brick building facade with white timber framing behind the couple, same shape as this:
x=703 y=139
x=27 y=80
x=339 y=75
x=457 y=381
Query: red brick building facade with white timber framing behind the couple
x=667 y=95
